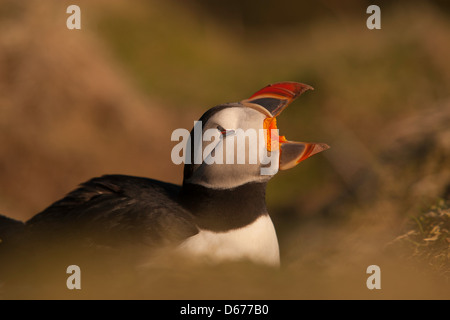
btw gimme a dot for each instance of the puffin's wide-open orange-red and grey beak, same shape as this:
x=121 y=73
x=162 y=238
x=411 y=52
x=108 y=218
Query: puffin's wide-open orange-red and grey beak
x=274 y=99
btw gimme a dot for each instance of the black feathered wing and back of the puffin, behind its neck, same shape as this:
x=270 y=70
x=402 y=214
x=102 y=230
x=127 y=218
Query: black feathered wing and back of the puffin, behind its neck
x=117 y=210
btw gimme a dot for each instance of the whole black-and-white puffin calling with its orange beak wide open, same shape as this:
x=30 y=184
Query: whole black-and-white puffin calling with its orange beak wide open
x=219 y=212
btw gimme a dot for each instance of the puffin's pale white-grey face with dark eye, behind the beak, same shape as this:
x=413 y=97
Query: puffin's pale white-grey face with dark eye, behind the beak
x=234 y=150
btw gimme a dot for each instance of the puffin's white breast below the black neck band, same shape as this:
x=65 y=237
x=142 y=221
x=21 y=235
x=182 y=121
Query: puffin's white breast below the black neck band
x=256 y=242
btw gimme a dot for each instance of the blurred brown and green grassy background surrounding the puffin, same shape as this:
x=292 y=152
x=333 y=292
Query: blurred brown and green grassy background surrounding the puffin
x=76 y=104
